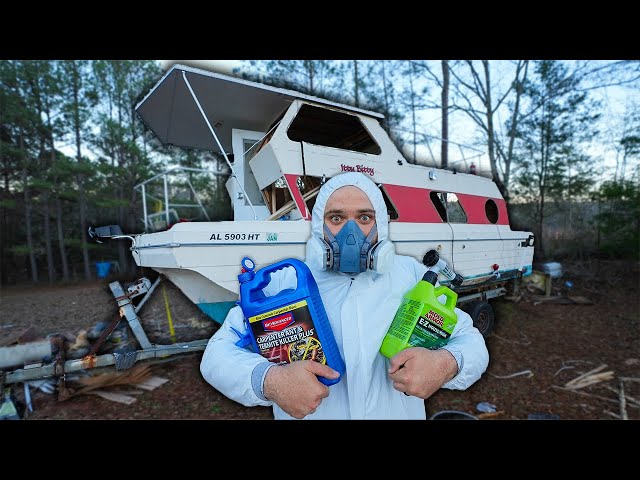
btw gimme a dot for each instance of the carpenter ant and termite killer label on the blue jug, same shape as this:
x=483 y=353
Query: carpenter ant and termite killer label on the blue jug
x=287 y=334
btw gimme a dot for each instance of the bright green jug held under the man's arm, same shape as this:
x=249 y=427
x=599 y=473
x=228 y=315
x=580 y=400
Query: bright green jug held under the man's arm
x=421 y=320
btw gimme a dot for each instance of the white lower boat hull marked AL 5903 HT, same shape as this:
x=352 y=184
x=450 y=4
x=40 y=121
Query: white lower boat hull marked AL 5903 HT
x=203 y=259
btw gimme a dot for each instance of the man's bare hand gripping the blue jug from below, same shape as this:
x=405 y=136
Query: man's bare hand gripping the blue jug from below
x=295 y=387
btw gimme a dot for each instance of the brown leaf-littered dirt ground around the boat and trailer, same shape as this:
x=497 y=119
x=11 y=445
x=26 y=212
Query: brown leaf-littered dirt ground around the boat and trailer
x=555 y=343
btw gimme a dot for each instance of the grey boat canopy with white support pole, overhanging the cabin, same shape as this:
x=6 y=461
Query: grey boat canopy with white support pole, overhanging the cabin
x=178 y=107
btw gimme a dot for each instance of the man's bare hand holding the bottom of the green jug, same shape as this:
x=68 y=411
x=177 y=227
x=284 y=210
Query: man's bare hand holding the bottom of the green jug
x=421 y=372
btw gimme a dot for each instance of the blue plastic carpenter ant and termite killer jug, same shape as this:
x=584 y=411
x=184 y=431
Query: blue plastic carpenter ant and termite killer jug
x=291 y=325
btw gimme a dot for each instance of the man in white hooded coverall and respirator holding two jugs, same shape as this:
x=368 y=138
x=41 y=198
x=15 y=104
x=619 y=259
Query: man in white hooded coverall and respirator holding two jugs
x=360 y=302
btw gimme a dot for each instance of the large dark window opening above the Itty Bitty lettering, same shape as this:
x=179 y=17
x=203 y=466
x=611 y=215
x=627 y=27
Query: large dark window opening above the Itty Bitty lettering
x=330 y=128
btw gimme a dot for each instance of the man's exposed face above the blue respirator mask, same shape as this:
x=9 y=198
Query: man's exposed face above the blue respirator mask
x=349 y=203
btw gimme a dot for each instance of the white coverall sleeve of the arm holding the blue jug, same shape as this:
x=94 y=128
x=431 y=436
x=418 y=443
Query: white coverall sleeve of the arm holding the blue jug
x=228 y=367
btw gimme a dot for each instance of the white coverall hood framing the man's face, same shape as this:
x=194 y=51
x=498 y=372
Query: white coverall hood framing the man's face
x=384 y=250
